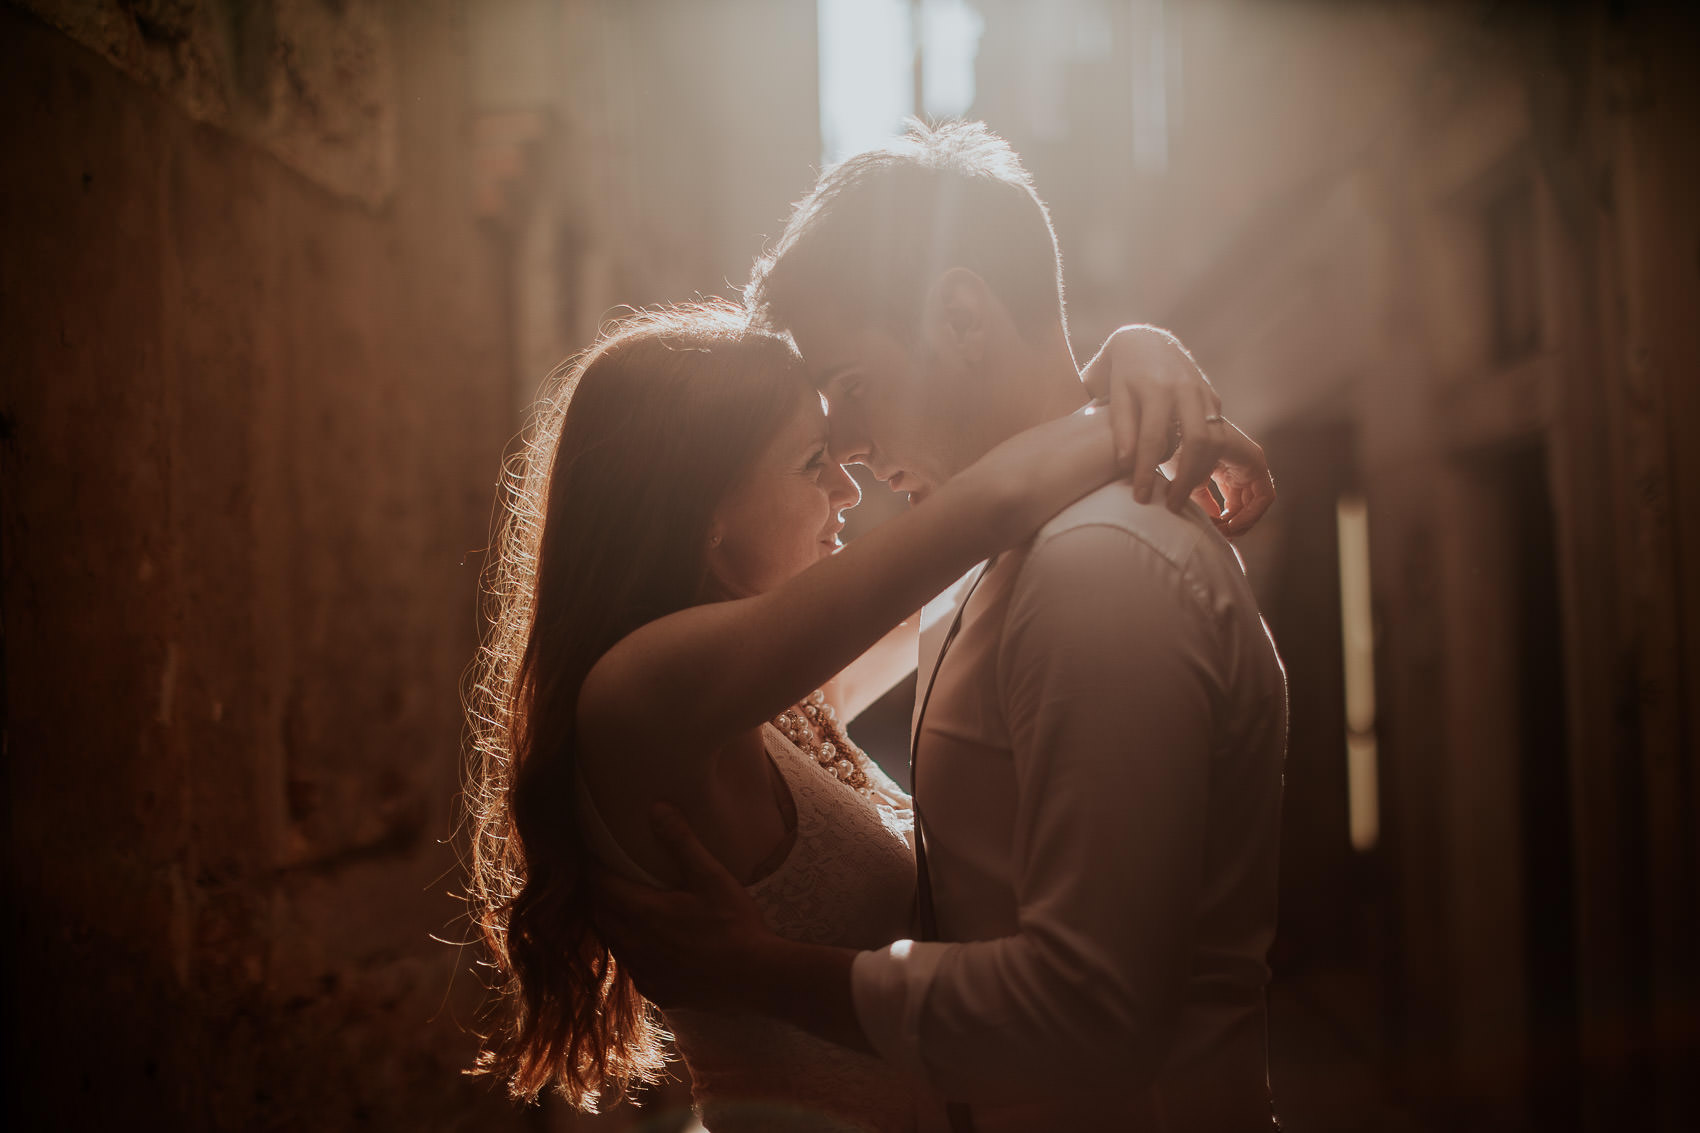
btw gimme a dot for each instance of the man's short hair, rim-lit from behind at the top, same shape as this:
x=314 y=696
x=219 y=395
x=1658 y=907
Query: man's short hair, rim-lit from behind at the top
x=883 y=225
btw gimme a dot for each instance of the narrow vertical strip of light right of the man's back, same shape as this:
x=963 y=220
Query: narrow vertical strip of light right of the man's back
x=1357 y=632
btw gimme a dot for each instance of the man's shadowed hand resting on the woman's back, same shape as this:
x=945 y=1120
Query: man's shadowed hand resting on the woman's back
x=696 y=947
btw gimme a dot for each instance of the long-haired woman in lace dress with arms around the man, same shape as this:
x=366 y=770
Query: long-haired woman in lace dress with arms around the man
x=679 y=508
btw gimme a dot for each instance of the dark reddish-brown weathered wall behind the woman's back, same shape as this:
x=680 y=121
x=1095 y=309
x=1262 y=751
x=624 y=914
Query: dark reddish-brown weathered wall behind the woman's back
x=251 y=430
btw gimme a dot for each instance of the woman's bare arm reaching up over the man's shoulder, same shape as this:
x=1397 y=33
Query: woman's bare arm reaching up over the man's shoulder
x=689 y=683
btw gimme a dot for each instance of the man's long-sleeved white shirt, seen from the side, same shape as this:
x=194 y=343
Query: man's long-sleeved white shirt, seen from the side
x=1101 y=775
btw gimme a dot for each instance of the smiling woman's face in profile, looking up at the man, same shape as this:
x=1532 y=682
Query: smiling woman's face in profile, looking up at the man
x=786 y=513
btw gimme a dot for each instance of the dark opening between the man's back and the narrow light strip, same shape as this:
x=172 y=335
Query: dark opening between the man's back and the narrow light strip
x=1329 y=994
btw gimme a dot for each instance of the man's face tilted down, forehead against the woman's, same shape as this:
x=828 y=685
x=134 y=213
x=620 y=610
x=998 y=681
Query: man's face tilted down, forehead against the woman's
x=888 y=406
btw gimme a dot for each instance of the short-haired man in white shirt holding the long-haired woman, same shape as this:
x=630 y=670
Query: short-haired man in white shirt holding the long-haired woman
x=1101 y=720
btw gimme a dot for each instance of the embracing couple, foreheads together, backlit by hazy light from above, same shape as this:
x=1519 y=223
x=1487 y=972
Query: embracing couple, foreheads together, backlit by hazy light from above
x=1067 y=928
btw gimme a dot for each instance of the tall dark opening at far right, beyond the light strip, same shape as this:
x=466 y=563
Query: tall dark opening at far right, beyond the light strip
x=1521 y=712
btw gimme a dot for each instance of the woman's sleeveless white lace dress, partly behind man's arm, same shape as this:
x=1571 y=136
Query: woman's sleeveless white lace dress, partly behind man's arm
x=849 y=880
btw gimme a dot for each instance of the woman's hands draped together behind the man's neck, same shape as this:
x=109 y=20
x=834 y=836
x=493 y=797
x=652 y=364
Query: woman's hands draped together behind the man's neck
x=1155 y=387
